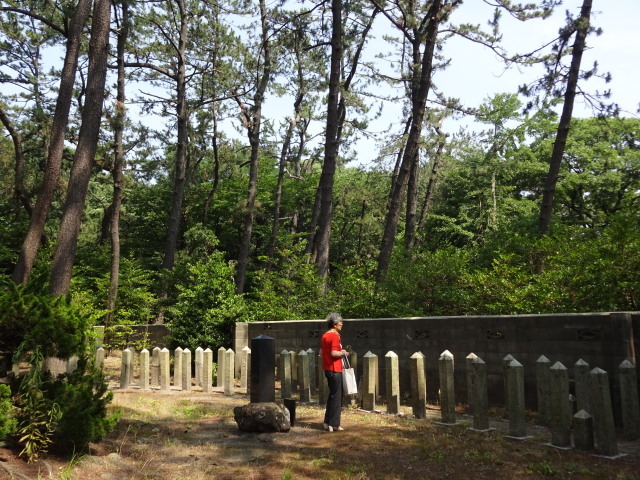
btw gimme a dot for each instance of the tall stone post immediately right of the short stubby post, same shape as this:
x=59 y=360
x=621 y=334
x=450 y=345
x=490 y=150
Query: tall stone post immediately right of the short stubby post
x=603 y=426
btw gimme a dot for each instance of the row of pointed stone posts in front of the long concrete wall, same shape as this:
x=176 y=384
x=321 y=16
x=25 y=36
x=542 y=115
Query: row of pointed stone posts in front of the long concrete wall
x=593 y=420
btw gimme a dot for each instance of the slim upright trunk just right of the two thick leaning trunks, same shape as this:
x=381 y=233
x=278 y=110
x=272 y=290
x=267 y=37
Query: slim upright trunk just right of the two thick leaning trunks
x=118 y=165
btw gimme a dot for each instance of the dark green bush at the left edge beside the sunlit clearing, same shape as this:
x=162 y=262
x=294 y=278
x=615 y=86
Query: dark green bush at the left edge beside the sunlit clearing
x=67 y=412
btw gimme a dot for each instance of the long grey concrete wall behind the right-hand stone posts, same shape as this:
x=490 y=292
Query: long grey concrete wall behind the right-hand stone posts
x=601 y=339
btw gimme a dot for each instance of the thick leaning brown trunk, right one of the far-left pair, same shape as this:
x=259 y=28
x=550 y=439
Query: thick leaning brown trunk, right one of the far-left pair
x=64 y=255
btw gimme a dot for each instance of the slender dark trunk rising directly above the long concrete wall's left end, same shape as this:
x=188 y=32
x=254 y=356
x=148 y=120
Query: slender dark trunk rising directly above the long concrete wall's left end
x=254 y=125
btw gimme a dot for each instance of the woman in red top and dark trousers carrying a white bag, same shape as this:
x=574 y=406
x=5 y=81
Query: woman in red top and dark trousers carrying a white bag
x=332 y=354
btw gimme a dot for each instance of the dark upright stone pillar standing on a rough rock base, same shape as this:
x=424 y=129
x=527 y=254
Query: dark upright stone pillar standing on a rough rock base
x=263 y=369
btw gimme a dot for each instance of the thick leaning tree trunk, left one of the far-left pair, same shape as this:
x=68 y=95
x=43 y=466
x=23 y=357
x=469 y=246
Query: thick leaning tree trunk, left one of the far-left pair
x=38 y=219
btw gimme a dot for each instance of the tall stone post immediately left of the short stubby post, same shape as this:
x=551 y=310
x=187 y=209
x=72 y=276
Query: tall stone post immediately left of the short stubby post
x=560 y=415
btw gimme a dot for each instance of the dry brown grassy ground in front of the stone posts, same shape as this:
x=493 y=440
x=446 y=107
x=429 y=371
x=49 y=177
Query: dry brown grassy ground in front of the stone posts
x=193 y=436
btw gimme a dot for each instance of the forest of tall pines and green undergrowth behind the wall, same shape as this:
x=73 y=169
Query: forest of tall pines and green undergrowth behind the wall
x=200 y=163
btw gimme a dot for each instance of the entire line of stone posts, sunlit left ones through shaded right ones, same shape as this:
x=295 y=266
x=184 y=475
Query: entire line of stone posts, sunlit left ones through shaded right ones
x=301 y=373
